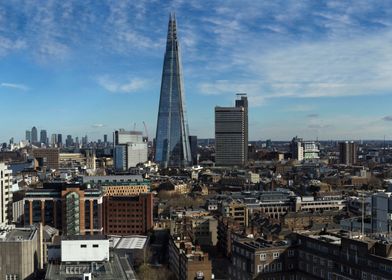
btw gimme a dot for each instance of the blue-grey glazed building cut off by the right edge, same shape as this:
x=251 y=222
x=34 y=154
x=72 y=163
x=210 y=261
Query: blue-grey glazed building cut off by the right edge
x=382 y=212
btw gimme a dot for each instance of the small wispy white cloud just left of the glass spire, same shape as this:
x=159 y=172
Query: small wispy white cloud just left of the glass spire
x=129 y=85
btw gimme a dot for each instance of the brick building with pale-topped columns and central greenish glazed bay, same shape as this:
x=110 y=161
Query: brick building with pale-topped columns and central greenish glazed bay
x=72 y=209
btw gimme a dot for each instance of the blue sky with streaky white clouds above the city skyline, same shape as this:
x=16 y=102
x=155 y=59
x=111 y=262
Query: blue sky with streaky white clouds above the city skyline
x=310 y=68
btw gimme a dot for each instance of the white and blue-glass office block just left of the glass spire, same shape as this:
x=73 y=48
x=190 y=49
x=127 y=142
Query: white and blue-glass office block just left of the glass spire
x=129 y=149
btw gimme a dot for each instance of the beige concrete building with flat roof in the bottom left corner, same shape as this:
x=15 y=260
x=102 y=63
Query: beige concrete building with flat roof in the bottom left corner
x=20 y=253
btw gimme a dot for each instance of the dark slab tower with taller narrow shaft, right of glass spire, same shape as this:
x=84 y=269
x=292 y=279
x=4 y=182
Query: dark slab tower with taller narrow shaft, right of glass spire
x=231 y=134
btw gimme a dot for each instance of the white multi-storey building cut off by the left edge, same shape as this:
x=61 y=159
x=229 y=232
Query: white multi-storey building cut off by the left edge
x=5 y=193
